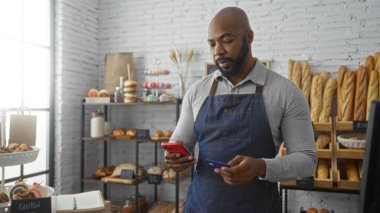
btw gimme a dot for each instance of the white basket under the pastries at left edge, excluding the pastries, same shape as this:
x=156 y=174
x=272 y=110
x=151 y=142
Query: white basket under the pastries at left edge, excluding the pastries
x=18 y=158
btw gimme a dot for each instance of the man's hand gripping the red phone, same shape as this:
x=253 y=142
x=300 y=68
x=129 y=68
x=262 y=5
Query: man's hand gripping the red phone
x=178 y=163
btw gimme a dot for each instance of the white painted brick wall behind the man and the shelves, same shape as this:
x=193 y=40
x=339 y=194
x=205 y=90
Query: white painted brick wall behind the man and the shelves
x=326 y=32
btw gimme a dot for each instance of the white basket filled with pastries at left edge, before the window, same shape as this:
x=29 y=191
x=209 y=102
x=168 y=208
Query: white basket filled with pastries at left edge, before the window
x=17 y=154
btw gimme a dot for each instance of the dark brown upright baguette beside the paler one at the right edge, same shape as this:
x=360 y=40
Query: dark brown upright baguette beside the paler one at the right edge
x=361 y=94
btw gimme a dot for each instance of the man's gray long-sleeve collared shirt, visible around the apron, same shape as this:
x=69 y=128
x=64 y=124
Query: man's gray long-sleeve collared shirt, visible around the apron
x=287 y=111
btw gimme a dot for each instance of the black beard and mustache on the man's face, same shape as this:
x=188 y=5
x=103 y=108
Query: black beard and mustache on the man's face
x=237 y=63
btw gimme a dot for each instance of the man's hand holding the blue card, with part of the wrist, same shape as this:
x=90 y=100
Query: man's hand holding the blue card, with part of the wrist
x=243 y=169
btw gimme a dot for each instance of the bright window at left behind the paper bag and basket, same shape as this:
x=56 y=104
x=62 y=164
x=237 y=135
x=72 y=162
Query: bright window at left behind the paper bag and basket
x=25 y=75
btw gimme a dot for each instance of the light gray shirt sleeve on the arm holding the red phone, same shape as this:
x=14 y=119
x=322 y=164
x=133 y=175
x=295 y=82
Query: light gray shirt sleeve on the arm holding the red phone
x=184 y=130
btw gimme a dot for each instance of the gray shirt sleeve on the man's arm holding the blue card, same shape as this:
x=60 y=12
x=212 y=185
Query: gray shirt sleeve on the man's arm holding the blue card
x=298 y=136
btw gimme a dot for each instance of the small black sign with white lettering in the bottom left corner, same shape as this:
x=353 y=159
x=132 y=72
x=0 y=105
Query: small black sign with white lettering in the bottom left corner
x=36 y=205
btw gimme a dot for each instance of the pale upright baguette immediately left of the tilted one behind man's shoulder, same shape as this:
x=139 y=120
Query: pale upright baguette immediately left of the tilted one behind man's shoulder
x=316 y=98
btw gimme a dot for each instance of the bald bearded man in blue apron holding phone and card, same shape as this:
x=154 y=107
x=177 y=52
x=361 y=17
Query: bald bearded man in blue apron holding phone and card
x=240 y=114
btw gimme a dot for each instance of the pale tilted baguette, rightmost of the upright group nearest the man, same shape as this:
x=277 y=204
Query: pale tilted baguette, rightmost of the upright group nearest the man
x=328 y=95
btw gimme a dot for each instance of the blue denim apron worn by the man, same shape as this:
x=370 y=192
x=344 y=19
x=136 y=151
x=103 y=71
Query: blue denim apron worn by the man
x=226 y=126
